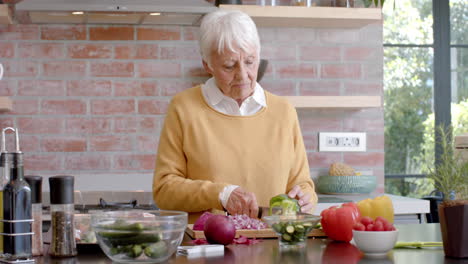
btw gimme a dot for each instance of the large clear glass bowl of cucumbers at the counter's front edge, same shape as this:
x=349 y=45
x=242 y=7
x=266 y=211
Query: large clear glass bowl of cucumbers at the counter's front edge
x=139 y=236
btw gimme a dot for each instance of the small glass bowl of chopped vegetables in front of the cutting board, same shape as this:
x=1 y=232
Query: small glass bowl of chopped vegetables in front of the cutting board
x=292 y=230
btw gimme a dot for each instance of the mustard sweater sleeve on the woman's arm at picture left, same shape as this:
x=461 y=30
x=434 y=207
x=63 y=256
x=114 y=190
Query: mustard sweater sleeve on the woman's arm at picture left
x=172 y=189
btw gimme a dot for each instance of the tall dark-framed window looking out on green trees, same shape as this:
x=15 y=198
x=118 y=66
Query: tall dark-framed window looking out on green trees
x=417 y=72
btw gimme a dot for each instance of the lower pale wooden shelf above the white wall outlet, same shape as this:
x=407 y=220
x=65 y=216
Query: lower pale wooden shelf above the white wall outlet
x=335 y=101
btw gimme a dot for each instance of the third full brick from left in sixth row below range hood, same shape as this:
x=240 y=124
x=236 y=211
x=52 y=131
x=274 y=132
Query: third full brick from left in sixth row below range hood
x=136 y=124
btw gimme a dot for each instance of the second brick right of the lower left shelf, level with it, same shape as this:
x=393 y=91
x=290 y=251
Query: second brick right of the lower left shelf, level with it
x=63 y=107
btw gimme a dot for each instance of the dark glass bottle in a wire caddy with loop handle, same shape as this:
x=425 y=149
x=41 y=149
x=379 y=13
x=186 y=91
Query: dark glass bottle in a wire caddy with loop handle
x=17 y=211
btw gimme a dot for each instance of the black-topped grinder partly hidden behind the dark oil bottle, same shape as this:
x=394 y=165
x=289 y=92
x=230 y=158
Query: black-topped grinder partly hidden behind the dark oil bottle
x=35 y=183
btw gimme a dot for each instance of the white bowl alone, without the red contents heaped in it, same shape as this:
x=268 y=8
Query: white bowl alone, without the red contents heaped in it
x=375 y=243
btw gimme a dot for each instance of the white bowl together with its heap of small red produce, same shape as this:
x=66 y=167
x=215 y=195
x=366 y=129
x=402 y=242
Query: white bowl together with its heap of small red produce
x=375 y=237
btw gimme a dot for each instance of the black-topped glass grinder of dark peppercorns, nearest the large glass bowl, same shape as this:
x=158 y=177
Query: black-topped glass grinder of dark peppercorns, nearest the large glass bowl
x=62 y=216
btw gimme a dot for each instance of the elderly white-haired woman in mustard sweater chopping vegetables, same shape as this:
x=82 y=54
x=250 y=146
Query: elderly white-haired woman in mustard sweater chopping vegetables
x=229 y=144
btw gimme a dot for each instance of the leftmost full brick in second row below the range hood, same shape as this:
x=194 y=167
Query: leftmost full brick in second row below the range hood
x=41 y=50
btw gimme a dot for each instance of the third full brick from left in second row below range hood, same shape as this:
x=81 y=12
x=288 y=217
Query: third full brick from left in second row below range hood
x=140 y=51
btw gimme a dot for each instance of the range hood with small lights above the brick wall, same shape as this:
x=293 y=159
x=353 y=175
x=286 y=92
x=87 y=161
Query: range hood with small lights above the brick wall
x=181 y=12
